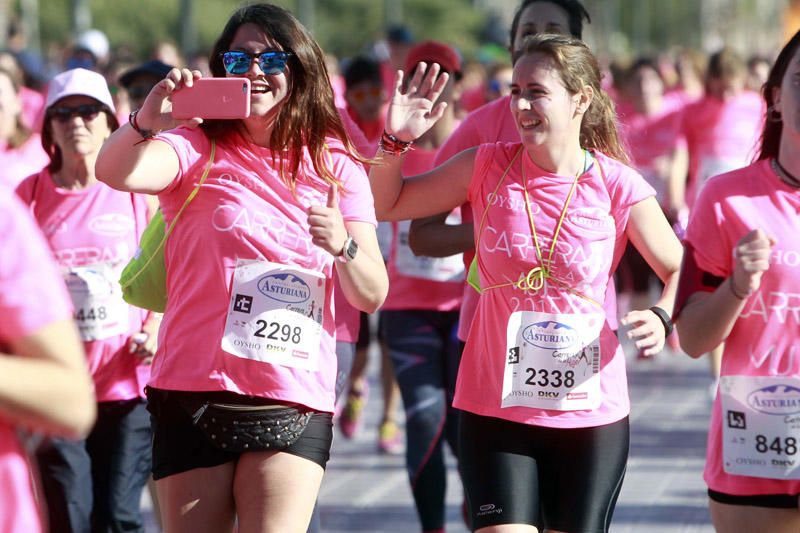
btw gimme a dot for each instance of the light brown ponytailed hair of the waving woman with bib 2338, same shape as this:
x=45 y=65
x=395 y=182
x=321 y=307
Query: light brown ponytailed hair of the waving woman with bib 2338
x=578 y=67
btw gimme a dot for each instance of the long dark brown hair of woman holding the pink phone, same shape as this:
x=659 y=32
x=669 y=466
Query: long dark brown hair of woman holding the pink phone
x=308 y=113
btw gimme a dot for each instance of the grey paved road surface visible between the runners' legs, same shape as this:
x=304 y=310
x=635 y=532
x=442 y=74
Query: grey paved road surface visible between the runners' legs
x=663 y=492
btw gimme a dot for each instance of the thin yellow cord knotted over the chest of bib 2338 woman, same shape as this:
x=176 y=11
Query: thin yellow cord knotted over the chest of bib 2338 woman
x=534 y=280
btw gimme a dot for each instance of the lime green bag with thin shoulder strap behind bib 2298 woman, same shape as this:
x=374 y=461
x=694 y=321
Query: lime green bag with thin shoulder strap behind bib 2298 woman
x=144 y=278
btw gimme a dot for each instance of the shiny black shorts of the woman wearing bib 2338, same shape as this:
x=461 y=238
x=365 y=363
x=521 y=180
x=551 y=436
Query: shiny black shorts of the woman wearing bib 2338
x=551 y=478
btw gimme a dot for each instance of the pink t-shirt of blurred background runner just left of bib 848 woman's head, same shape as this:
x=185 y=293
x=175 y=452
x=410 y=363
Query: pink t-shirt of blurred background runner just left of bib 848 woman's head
x=721 y=136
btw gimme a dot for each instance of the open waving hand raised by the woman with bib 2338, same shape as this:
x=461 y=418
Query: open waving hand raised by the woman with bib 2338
x=412 y=112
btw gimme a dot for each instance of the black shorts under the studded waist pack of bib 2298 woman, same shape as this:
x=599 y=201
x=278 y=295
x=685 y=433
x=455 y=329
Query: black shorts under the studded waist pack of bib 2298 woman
x=180 y=446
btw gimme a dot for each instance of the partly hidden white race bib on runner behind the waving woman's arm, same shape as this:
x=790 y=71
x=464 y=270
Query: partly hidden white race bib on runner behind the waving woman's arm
x=431 y=268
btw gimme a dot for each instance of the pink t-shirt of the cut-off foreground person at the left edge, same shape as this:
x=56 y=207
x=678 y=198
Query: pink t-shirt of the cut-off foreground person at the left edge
x=32 y=295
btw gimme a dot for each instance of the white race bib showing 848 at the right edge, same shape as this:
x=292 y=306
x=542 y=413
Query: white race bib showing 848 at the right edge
x=761 y=426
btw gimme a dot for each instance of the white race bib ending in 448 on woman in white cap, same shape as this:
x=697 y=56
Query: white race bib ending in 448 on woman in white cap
x=100 y=311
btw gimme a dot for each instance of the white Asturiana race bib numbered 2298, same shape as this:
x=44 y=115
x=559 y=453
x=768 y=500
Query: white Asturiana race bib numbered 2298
x=275 y=314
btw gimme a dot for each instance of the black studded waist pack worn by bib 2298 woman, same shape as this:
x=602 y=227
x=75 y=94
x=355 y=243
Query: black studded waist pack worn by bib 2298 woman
x=247 y=428
